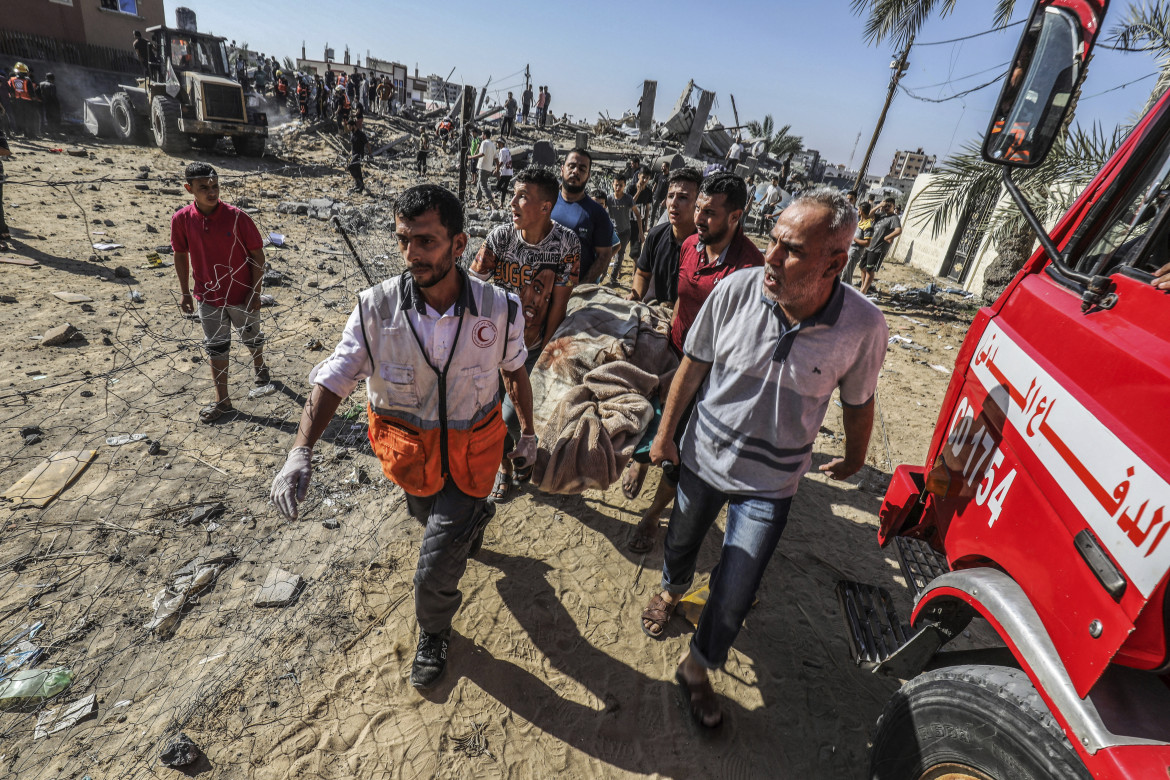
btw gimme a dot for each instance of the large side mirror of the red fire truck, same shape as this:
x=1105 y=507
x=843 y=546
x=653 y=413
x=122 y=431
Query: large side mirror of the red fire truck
x=1040 y=87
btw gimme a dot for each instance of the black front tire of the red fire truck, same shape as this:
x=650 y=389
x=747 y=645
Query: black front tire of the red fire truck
x=976 y=722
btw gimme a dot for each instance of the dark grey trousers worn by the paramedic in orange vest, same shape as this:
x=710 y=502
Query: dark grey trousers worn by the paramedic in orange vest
x=451 y=521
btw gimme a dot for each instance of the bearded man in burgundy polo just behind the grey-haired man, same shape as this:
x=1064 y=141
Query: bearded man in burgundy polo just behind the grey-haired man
x=719 y=249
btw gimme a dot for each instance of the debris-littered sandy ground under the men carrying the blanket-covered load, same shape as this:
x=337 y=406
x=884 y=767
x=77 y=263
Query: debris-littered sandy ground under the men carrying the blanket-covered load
x=549 y=674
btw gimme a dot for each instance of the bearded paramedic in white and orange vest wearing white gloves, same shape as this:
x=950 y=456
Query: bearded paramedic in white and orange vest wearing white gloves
x=431 y=346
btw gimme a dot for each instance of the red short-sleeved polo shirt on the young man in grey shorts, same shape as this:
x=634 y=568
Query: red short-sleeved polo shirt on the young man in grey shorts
x=218 y=246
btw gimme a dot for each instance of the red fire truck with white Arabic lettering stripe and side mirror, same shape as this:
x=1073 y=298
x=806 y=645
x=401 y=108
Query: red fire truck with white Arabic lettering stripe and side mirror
x=1043 y=512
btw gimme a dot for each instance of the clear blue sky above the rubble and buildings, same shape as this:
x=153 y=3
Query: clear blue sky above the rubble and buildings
x=804 y=63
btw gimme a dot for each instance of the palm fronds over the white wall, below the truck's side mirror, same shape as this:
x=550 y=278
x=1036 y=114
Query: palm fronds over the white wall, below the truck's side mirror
x=965 y=180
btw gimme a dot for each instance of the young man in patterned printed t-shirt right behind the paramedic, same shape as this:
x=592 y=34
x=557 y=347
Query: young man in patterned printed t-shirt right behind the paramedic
x=539 y=260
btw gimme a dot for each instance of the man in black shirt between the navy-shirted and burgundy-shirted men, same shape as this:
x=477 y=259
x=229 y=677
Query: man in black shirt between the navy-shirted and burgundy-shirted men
x=657 y=275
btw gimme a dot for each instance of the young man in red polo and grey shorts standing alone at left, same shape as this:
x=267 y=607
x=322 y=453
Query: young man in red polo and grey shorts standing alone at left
x=219 y=246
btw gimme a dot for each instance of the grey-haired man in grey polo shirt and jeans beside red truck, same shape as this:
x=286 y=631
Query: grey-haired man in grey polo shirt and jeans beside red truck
x=765 y=356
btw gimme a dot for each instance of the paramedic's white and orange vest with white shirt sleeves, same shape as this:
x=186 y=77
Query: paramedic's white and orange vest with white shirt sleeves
x=432 y=381
